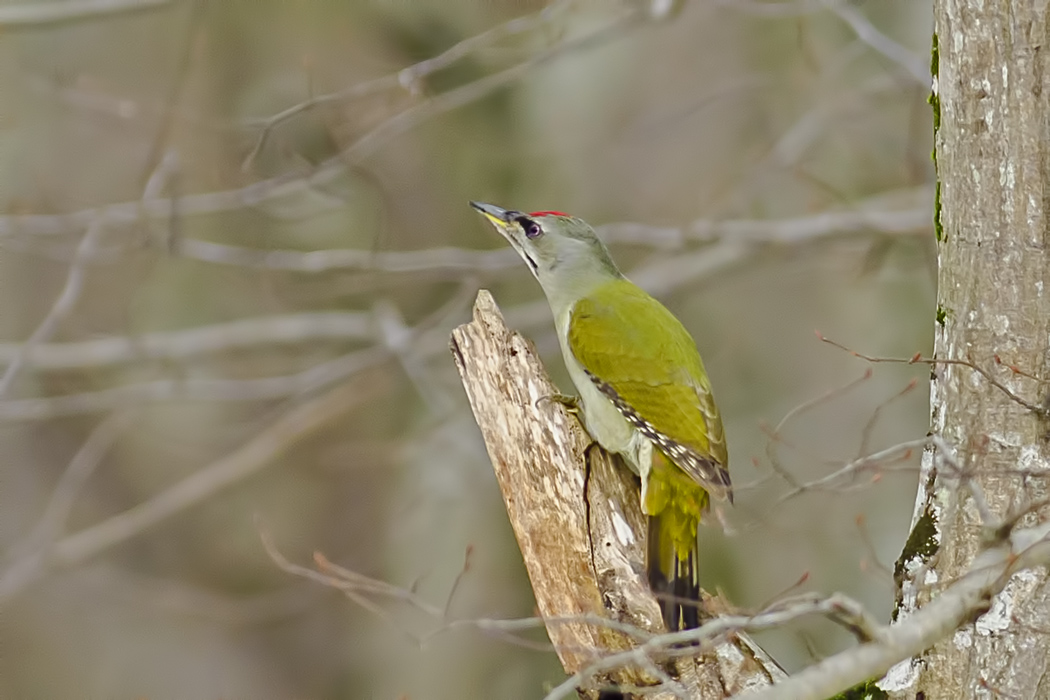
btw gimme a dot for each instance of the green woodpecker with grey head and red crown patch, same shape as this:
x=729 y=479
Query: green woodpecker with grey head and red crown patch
x=644 y=393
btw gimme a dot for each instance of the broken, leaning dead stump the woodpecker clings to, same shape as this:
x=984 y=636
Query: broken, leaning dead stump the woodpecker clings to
x=577 y=519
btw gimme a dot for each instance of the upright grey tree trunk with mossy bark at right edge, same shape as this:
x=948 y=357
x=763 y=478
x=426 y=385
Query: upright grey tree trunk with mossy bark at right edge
x=993 y=121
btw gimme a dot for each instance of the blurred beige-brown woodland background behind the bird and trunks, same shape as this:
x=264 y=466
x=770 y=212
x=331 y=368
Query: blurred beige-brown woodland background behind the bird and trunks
x=235 y=239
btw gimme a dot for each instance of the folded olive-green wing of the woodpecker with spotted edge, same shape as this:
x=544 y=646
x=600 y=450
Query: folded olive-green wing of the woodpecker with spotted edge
x=644 y=360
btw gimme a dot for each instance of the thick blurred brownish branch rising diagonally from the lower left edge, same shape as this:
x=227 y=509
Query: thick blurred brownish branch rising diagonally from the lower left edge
x=266 y=447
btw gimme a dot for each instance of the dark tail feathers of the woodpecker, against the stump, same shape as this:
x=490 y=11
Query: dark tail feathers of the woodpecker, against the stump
x=676 y=582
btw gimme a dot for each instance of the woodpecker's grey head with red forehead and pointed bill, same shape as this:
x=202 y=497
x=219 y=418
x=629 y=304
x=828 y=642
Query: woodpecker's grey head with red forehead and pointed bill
x=561 y=250
